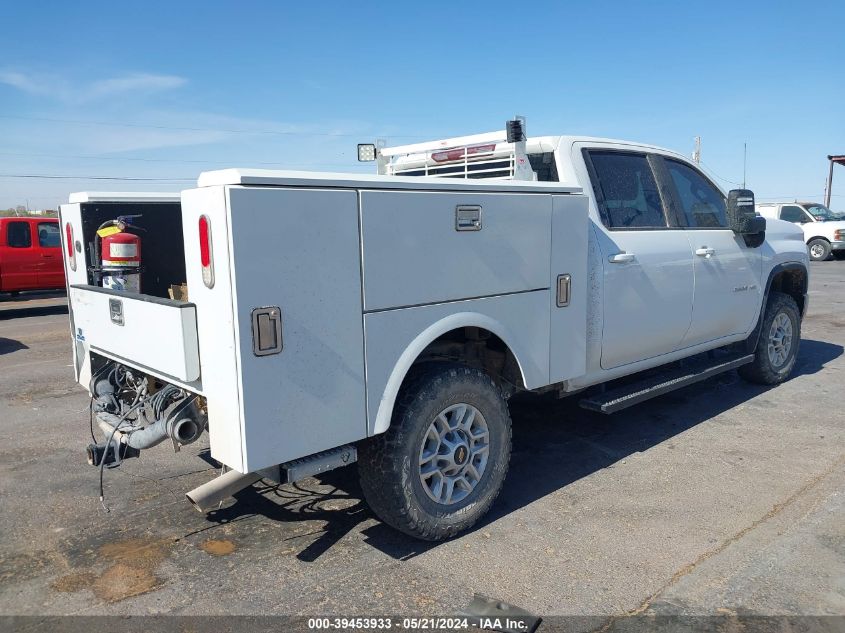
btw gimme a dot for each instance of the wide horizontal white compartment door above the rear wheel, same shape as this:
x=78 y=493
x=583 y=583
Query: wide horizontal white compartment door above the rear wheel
x=413 y=254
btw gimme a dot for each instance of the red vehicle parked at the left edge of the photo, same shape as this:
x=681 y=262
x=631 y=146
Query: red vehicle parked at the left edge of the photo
x=30 y=254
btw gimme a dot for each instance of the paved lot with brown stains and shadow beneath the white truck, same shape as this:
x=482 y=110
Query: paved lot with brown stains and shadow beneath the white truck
x=721 y=498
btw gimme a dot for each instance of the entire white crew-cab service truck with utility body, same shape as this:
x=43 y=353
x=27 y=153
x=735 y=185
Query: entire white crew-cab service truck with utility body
x=387 y=319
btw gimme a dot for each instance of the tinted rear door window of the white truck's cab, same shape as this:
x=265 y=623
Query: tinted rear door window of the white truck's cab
x=626 y=190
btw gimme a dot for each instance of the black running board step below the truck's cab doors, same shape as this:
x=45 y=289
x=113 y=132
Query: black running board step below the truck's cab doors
x=692 y=372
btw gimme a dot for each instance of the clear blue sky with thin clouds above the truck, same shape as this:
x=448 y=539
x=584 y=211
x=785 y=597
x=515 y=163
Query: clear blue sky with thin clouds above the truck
x=169 y=89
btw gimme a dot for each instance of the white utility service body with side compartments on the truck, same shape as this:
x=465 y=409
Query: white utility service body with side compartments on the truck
x=366 y=272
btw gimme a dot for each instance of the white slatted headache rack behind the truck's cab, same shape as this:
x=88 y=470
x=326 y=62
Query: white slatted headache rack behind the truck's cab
x=487 y=156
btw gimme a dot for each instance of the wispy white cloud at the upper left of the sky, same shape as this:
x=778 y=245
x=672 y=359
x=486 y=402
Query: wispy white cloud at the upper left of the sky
x=78 y=92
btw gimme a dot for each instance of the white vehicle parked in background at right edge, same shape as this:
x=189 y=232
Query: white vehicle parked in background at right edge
x=824 y=230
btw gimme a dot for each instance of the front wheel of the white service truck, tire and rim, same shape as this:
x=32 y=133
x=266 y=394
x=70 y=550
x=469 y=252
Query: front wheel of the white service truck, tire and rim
x=777 y=347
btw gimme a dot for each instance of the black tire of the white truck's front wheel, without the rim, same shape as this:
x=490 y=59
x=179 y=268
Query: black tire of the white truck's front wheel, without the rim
x=763 y=370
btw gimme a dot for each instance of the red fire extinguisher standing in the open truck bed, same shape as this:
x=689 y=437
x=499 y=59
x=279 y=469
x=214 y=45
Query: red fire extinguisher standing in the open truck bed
x=121 y=255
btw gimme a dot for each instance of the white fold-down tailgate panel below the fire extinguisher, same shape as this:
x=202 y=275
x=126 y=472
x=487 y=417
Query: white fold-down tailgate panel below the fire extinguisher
x=154 y=334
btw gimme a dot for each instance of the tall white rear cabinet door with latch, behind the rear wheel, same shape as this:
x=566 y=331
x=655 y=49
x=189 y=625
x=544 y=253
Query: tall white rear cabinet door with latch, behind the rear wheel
x=298 y=249
